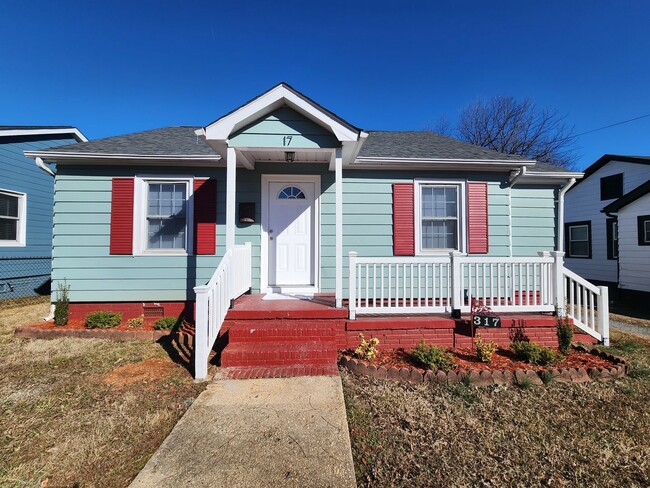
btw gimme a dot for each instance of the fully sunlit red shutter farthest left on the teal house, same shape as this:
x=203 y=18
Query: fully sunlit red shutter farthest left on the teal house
x=121 y=240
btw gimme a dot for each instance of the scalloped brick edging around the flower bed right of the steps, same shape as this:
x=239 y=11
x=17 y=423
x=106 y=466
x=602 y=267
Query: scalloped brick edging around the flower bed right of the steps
x=498 y=377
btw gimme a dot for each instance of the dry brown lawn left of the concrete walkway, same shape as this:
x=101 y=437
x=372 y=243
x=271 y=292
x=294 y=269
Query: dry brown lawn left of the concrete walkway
x=59 y=421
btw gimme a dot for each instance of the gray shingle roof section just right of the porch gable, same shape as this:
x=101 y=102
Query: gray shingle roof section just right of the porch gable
x=426 y=145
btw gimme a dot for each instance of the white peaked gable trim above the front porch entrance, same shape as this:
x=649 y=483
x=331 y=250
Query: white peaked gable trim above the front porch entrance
x=223 y=128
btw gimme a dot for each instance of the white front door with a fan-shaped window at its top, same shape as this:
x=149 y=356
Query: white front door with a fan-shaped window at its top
x=290 y=232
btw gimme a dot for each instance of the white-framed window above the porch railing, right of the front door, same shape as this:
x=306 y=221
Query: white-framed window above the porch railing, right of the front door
x=439 y=216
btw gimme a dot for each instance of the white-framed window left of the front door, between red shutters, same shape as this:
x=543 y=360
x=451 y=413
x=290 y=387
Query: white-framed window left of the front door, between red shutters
x=163 y=215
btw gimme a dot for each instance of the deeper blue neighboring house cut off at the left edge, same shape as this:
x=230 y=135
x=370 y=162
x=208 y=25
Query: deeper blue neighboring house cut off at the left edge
x=26 y=199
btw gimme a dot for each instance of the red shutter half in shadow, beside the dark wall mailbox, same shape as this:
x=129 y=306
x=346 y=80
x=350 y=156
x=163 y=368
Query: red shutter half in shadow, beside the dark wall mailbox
x=205 y=216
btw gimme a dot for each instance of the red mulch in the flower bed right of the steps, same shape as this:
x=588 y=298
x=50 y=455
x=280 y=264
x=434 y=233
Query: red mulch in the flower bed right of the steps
x=503 y=359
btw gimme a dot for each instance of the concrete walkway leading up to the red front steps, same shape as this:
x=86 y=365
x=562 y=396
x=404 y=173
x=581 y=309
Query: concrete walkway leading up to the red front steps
x=288 y=432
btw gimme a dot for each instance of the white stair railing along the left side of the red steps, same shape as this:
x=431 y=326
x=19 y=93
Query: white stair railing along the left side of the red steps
x=231 y=279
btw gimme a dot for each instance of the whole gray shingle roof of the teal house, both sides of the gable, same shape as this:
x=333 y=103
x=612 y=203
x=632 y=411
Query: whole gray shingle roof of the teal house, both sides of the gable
x=182 y=141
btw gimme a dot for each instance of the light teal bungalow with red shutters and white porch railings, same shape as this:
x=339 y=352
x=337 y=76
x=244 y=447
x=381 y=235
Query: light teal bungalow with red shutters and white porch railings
x=282 y=196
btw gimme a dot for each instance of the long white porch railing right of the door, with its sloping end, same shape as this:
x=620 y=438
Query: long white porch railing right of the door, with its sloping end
x=421 y=285
